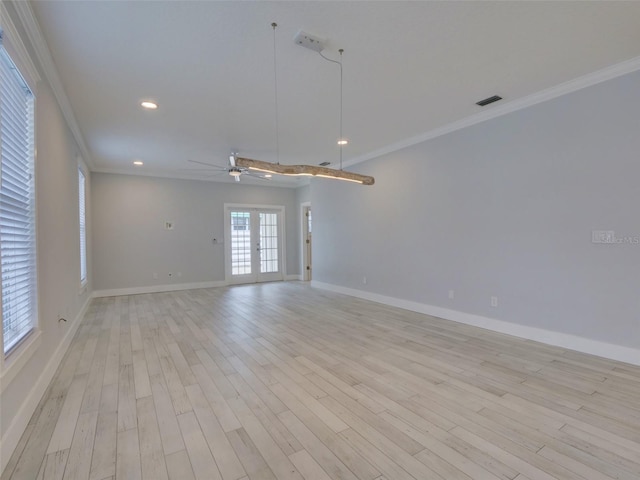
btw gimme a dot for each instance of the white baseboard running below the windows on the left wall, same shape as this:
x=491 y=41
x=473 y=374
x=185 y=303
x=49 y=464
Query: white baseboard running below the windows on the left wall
x=19 y=424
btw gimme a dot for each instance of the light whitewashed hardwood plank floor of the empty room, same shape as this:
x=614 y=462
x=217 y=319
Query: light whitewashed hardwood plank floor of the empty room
x=282 y=381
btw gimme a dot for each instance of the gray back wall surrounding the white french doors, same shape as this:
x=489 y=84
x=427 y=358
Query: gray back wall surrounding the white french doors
x=131 y=244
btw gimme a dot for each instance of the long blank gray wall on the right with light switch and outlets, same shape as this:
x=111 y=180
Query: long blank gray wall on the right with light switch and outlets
x=504 y=208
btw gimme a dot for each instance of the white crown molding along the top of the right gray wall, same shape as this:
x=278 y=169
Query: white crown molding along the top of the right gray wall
x=593 y=78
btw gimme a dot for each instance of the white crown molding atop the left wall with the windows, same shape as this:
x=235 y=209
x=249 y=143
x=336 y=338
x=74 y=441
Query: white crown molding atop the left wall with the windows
x=45 y=59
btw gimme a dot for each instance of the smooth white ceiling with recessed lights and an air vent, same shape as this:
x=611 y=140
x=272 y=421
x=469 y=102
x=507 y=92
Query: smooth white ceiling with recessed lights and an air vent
x=409 y=67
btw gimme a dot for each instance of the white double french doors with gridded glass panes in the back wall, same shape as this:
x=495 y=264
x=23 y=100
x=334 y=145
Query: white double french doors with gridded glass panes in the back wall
x=254 y=239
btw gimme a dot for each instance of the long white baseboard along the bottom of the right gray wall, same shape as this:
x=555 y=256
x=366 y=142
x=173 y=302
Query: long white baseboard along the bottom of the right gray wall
x=557 y=339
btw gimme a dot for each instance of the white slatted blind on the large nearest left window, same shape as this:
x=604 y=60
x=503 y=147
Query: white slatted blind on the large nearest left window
x=17 y=205
